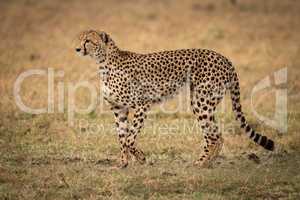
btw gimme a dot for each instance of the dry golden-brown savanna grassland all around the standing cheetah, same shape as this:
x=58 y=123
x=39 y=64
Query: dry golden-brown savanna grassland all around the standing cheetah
x=43 y=157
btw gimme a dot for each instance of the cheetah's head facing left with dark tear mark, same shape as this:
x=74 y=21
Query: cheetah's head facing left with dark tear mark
x=94 y=44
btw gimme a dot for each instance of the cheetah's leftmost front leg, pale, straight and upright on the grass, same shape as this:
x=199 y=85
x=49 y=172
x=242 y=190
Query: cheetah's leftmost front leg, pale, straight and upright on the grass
x=122 y=124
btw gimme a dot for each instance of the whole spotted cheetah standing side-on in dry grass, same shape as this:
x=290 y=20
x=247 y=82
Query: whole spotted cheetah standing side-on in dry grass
x=134 y=82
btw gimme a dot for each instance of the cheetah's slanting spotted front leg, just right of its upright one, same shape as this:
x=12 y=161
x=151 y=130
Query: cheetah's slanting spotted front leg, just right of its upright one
x=137 y=123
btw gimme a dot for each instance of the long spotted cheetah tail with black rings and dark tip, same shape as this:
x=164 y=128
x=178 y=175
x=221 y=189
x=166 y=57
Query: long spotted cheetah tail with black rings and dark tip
x=237 y=108
